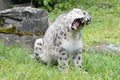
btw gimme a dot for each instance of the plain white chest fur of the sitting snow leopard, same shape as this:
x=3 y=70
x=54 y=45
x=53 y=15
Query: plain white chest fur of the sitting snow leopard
x=73 y=42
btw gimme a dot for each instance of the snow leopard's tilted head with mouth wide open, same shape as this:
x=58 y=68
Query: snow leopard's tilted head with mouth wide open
x=78 y=19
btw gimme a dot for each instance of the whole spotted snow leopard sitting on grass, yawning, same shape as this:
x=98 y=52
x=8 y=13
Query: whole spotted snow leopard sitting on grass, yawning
x=62 y=40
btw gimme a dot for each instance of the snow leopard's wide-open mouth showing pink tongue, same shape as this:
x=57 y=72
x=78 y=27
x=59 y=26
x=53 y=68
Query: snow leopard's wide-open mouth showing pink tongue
x=78 y=23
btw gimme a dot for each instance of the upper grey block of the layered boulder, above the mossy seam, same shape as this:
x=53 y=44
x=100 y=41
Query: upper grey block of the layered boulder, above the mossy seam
x=26 y=19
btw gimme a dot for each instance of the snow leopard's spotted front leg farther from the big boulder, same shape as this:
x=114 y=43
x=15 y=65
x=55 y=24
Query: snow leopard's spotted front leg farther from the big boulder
x=77 y=58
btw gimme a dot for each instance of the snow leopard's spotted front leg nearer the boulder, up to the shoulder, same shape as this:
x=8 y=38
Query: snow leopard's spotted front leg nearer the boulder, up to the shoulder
x=60 y=52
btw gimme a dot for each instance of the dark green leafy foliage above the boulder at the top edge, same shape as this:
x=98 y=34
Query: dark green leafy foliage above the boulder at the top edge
x=55 y=4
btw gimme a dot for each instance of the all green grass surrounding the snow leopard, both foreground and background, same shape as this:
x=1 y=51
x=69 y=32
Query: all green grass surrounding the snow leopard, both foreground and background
x=16 y=63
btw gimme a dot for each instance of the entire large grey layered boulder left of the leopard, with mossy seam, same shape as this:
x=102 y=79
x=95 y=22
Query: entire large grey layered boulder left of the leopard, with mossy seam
x=30 y=23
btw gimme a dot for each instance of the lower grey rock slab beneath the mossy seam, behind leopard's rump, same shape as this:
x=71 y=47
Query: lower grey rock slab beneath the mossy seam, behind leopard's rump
x=26 y=41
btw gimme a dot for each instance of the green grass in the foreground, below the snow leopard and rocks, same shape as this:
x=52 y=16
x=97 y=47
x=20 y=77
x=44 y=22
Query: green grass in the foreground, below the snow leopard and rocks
x=16 y=64
